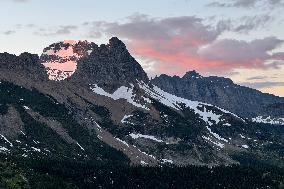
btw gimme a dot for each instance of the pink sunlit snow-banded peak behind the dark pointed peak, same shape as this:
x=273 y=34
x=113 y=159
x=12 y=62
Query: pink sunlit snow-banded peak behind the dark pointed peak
x=60 y=59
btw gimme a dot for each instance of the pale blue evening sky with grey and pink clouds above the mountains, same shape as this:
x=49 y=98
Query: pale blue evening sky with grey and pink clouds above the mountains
x=239 y=39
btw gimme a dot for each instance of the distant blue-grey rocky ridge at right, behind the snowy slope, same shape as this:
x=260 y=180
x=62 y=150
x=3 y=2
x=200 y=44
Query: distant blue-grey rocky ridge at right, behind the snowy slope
x=221 y=92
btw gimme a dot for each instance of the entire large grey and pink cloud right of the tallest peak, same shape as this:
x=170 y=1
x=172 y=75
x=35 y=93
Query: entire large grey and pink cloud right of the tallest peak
x=179 y=44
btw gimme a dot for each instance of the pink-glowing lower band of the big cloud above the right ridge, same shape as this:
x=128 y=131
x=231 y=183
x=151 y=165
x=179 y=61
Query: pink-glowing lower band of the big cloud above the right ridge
x=222 y=56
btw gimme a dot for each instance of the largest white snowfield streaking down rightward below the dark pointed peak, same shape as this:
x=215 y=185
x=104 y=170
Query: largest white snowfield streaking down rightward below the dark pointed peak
x=165 y=98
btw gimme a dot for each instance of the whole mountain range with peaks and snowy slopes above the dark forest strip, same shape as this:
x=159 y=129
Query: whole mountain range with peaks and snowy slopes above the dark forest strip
x=107 y=111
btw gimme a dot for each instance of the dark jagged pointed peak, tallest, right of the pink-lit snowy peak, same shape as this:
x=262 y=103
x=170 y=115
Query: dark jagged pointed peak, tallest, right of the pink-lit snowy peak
x=109 y=66
